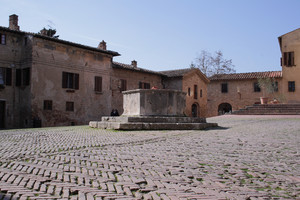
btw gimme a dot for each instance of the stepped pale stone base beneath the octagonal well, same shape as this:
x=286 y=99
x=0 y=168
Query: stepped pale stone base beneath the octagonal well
x=152 y=123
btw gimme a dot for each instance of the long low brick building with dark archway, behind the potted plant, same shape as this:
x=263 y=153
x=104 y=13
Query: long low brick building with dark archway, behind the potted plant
x=230 y=92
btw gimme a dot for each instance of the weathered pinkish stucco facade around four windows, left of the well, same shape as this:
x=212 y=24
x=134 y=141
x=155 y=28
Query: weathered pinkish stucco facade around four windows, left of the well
x=50 y=59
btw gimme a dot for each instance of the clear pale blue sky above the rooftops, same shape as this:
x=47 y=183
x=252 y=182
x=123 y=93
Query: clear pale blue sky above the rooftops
x=167 y=34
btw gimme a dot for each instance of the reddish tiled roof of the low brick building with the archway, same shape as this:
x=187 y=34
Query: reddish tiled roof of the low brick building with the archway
x=242 y=76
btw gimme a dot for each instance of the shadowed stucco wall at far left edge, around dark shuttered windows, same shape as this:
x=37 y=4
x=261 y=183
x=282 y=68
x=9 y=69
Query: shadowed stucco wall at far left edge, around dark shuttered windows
x=16 y=55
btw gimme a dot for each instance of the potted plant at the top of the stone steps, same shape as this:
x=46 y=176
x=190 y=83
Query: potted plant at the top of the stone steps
x=268 y=86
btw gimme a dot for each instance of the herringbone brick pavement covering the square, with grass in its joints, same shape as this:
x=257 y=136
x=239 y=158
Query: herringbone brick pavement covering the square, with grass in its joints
x=245 y=158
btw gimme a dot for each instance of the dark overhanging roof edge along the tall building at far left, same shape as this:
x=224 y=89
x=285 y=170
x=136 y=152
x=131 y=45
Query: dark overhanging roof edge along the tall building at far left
x=113 y=53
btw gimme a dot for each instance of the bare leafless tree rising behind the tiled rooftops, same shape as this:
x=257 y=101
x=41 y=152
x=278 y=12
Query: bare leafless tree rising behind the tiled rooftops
x=213 y=64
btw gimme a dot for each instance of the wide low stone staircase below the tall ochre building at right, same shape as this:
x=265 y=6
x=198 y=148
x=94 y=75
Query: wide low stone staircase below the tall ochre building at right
x=270 y=109
